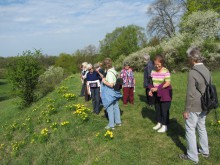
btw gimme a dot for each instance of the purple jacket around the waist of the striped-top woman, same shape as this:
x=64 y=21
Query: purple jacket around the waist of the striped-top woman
x=165 y=94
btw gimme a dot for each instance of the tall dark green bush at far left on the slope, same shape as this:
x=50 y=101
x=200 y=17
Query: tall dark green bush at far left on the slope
x=23 y=72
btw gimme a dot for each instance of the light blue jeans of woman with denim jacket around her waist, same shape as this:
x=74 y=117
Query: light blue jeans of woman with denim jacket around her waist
x=114 y=114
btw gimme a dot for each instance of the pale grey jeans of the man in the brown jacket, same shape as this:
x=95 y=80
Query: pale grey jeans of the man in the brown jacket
x=195 y=121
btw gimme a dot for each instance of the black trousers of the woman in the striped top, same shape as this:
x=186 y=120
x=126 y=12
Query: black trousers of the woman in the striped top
x=162 y=111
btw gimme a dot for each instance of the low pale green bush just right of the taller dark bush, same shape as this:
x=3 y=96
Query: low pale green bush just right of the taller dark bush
x=49 y=79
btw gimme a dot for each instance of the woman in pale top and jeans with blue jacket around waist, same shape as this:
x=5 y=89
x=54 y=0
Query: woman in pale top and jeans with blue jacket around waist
x=110 y=97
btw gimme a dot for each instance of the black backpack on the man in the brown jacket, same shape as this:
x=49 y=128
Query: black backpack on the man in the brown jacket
x=209 y=98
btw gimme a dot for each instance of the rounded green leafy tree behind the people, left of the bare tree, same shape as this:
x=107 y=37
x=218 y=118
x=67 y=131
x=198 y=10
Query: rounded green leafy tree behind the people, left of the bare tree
x=122 y=41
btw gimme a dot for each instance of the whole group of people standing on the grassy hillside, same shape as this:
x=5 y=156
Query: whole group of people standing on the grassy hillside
x=98 y=83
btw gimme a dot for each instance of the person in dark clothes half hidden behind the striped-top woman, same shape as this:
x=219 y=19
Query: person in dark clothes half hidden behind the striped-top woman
x=147 y=78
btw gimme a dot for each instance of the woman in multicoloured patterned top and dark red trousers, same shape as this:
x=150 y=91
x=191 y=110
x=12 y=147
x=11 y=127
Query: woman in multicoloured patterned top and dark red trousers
x=127 y=76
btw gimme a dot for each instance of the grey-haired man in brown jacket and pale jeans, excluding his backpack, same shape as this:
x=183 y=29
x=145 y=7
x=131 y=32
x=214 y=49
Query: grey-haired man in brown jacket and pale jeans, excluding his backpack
x=194 y=116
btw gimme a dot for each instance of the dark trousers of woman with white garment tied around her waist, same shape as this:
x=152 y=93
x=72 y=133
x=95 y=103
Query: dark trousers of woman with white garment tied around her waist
x=95 y=94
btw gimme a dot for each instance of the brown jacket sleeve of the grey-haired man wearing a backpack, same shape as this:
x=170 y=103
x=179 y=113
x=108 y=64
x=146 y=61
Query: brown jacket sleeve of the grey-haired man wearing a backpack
x=191 y=90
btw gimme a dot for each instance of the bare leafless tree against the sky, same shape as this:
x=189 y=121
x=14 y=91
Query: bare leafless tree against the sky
x=165 y=16
